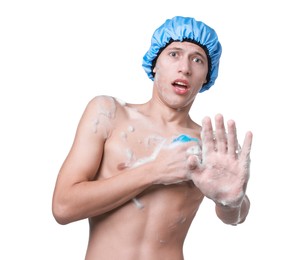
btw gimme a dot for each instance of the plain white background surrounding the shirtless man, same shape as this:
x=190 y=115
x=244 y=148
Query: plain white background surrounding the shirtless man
x=56 y=55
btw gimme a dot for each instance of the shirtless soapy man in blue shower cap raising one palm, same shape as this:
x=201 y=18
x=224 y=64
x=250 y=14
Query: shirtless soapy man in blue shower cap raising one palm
x=139 y=172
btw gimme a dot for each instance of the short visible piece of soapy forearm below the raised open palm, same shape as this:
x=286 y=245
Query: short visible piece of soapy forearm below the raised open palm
x=233 y=216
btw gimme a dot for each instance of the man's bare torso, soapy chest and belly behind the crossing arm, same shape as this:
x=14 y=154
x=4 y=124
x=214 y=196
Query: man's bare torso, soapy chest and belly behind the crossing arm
x=154 y=224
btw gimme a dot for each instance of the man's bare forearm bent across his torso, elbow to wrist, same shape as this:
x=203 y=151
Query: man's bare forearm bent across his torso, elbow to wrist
x=91 y=198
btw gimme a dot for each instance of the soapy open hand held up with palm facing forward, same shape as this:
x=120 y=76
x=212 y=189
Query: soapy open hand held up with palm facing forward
x=224 y=171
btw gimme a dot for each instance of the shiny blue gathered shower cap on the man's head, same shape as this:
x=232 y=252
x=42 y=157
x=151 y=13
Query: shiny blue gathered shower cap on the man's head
x=185 y=29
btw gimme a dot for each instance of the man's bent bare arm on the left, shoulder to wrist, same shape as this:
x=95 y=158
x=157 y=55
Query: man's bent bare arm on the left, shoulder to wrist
x=77 y=194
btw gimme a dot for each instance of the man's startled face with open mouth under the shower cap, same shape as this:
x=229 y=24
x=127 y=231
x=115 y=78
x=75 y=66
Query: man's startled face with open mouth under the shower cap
x=180 y=72
